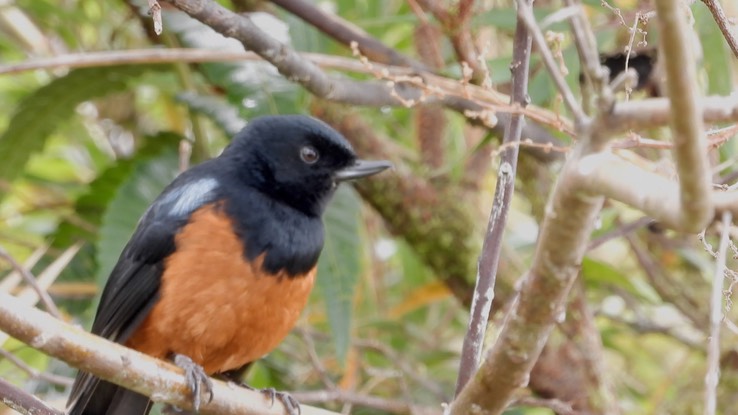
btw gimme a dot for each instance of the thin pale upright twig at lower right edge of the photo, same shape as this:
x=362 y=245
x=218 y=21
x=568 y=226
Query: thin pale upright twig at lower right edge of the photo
x=712 y=377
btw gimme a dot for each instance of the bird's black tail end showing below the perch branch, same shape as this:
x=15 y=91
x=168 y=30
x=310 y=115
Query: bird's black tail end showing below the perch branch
x=92 y=396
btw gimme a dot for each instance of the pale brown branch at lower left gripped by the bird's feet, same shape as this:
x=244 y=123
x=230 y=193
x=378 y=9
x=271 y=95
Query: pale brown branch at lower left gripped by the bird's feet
x=125 y=367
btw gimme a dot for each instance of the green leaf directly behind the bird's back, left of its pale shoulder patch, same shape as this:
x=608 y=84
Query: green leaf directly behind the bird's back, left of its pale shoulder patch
x=131 y=199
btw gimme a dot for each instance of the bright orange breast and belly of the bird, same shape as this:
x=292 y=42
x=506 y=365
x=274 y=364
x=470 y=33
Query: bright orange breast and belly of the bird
x=214 y=306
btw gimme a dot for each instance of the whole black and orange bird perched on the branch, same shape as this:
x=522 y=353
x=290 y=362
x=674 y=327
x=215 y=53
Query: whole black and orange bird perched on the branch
x=222 y=263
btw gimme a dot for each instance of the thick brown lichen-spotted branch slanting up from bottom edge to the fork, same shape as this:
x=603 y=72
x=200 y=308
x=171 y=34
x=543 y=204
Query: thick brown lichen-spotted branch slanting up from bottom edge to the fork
x=568 y=222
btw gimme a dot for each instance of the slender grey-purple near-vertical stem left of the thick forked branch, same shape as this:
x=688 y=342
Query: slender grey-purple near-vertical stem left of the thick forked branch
x=492 y=247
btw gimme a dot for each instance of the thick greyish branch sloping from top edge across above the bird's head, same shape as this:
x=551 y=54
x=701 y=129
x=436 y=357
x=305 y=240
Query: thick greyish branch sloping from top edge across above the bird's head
x=466 y=99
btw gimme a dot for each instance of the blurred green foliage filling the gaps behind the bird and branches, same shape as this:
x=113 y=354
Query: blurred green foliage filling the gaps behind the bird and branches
x=83 y=152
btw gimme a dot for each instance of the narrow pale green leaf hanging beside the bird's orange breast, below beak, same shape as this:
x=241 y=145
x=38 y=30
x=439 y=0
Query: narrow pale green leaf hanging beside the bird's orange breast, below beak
x=340 y=264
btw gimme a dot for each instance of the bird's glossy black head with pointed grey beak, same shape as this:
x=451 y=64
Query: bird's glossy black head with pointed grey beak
x=297 y=160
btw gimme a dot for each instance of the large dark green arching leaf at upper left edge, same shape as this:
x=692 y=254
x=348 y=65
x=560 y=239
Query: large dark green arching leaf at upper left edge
x=39 y=114
